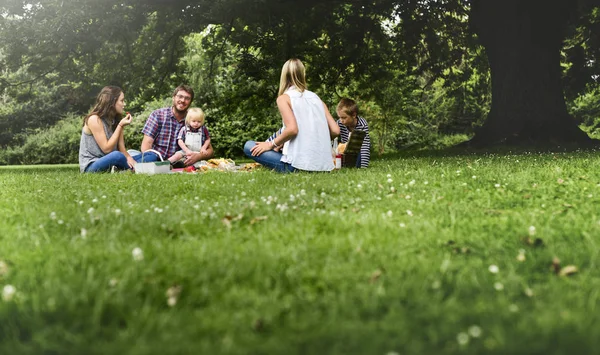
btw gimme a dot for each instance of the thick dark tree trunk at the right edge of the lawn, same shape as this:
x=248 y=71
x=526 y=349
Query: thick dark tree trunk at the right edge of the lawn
x=523 y=39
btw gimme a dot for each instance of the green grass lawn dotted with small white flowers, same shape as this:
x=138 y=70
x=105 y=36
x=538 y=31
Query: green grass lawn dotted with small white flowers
x=425 y=254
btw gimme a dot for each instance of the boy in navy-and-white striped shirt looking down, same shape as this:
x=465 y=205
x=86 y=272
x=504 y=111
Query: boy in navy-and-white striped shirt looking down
x=347 y=111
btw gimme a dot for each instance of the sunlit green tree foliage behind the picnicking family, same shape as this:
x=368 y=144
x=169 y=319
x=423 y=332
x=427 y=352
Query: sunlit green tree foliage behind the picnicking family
x=414 y=66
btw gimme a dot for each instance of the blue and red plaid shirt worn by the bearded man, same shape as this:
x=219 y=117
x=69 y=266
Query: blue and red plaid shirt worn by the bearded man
x=162 y=126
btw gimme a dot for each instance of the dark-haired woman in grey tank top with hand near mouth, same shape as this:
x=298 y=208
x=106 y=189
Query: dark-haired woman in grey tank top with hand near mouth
x=102 y=145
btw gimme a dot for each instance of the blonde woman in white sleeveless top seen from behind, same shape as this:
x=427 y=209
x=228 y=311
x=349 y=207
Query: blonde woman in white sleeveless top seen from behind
x=308 y=128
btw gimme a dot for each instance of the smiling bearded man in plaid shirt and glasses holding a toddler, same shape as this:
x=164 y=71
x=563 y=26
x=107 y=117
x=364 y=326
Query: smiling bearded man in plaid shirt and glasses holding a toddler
x=161 y=128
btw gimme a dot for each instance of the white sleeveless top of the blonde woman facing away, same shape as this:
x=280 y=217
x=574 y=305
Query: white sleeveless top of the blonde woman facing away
x=310 y=150
